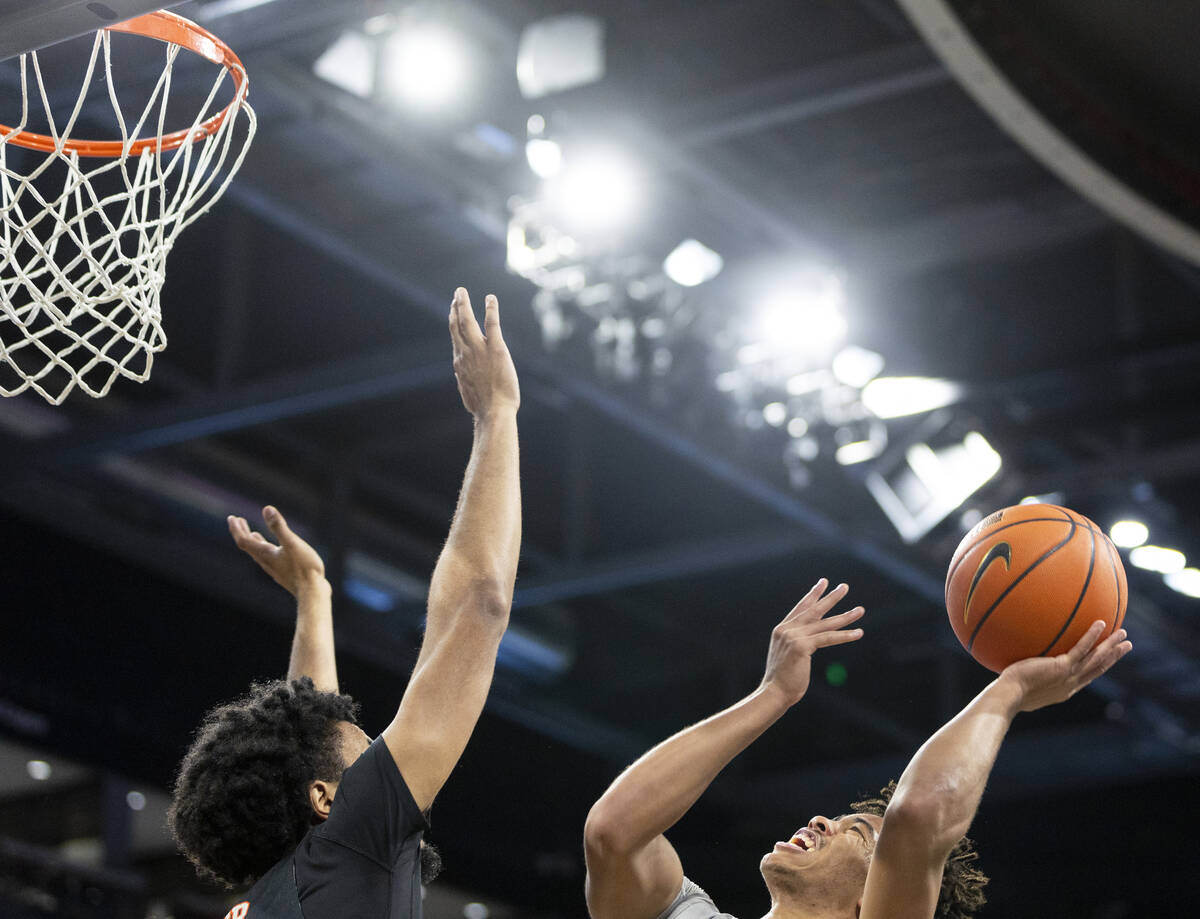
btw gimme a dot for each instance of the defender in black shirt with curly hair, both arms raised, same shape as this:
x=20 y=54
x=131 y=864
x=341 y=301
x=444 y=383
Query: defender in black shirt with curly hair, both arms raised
x=281 y=789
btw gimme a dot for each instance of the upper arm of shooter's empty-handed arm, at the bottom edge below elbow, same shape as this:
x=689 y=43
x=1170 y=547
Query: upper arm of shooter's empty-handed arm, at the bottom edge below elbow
x=633 y=886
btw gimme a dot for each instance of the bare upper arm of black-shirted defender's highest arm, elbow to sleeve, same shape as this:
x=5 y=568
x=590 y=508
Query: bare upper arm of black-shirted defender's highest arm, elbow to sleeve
x=443 y=702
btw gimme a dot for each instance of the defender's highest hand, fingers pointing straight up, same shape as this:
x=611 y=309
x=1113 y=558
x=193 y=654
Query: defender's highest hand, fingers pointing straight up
x=483 y=367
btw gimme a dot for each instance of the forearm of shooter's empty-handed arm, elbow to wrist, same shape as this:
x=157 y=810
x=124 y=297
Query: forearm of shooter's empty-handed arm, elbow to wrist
x=658 y=790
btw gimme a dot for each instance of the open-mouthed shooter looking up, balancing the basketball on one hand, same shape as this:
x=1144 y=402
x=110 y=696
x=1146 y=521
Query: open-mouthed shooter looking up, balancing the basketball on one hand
x=902 y=856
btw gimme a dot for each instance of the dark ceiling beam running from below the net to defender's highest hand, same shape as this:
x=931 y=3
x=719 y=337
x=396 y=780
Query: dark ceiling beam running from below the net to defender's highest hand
x=257 y=404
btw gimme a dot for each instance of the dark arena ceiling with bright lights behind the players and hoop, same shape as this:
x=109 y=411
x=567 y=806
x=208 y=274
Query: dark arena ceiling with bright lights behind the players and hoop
x=795 y=290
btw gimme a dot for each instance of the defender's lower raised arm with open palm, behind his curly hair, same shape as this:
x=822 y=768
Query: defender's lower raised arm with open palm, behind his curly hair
x=297 y=568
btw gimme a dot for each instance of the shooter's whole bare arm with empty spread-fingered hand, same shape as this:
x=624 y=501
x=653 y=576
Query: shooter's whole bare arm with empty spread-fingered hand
x=633 y=872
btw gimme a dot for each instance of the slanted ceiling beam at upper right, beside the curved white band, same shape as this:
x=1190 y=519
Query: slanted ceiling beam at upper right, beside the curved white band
x=808 y=93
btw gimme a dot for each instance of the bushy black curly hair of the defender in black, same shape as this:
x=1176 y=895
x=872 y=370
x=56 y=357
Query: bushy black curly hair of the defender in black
x=242 y=797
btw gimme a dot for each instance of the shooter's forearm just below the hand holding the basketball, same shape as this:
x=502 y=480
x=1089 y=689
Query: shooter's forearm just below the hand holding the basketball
x=943 y=785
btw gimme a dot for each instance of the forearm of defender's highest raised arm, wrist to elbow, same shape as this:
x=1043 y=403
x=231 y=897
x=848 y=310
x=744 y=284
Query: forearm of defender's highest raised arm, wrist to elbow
x=481 y=555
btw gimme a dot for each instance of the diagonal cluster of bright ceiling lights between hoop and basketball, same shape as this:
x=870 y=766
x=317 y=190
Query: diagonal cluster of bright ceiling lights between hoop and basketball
x=784 y=365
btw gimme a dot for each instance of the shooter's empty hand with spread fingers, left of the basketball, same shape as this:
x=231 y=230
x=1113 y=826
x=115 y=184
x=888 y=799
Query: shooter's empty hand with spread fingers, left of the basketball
x=802 y=633
